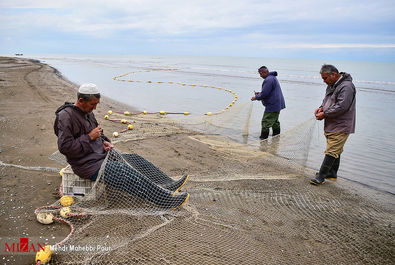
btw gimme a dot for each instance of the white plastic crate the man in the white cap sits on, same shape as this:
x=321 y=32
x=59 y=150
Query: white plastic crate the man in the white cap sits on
x=74 y=185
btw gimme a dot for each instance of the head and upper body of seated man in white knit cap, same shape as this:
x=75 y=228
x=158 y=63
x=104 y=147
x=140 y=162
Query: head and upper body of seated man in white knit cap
x=80 y=137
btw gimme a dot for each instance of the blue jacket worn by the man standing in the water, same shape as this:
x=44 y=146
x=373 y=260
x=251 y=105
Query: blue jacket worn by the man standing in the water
x=271 y=95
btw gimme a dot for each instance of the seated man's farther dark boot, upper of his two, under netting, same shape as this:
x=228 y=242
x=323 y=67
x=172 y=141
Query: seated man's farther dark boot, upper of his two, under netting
x=153 y=173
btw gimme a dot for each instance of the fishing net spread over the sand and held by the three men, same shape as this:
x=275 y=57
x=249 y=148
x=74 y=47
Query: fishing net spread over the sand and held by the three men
x=227 y=214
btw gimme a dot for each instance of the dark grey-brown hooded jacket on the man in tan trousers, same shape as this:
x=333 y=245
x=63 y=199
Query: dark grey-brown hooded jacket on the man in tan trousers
x=339 y=106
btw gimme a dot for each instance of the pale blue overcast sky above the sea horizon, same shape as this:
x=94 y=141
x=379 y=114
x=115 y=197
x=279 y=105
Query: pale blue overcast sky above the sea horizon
x=349 y=30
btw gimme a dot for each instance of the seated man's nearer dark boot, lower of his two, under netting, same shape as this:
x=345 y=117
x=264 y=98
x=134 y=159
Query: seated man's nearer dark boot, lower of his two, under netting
x=125 y=178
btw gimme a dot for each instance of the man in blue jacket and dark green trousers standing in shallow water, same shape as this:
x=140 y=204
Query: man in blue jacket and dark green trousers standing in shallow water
x=273 y=100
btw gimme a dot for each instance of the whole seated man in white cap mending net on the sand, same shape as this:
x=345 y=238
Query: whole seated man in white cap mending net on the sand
x=81 y=140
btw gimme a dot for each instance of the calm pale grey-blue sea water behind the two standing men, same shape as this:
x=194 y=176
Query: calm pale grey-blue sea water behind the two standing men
x=369 y=155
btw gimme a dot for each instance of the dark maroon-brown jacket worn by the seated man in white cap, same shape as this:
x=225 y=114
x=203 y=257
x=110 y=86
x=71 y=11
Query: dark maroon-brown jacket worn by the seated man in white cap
x=72 y=127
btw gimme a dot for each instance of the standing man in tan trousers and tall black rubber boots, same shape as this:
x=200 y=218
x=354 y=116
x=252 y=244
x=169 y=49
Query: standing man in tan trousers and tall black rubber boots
x=338 y=111
